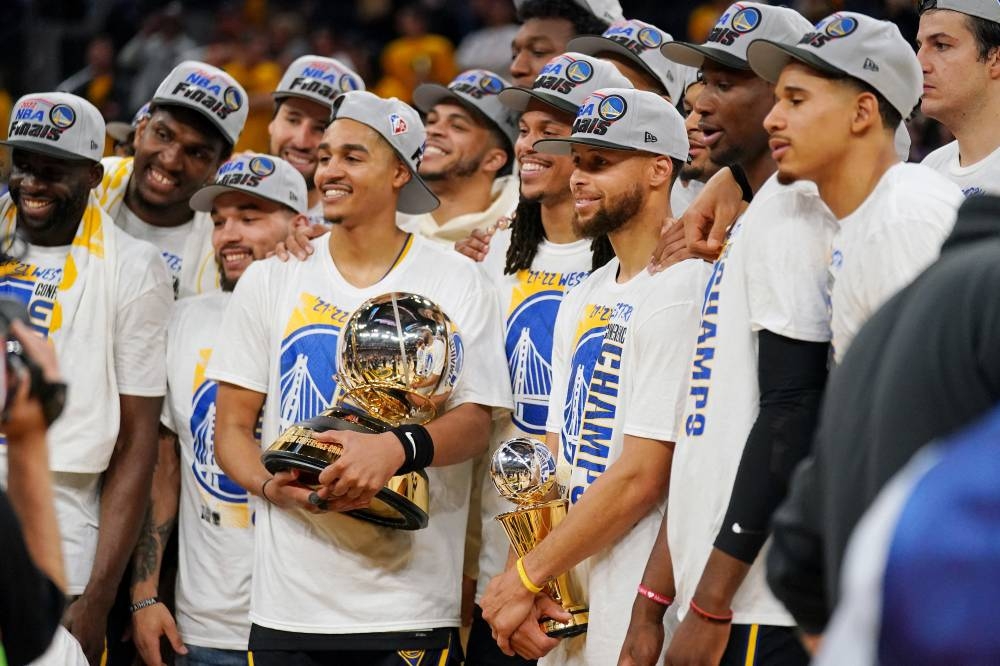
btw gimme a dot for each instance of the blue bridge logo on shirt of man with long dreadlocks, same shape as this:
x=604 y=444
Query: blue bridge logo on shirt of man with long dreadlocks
x=530 y=319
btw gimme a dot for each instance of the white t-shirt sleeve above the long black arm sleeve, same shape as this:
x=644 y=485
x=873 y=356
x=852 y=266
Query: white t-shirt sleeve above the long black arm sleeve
x=787 y=250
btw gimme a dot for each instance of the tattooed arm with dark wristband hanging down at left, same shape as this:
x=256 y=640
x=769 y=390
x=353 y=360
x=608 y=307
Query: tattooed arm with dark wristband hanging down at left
x=149 y=623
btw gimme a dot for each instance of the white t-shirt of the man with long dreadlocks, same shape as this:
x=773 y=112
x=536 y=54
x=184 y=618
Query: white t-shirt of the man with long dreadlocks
x=529 y=301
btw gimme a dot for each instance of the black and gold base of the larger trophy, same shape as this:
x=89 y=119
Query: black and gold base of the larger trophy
x=401 y=504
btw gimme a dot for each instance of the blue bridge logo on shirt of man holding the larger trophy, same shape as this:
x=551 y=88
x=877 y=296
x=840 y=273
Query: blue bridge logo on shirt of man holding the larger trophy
x=308 y=359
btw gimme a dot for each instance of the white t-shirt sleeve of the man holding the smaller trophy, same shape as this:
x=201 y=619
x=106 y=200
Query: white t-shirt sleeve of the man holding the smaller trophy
x=658 y=388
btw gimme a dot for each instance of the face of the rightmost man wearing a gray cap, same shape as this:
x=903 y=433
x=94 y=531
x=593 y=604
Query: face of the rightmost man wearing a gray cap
x=810 y=124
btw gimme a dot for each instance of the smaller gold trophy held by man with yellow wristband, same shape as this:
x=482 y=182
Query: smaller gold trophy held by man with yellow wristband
x=524 y=472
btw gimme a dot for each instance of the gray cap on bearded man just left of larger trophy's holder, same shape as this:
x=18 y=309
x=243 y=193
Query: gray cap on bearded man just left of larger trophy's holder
x=263 y=176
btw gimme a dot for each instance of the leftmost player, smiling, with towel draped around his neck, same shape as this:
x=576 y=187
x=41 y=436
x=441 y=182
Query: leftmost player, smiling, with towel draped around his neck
x=103 y=298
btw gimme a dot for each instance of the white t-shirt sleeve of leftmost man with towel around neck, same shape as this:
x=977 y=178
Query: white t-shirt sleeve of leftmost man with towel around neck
x=140 y=345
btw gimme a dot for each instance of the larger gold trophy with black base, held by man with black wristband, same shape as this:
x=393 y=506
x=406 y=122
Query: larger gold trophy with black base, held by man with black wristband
x=399 y=357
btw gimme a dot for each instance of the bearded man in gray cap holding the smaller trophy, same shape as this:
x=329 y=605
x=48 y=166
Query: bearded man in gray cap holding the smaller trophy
x=621 y=352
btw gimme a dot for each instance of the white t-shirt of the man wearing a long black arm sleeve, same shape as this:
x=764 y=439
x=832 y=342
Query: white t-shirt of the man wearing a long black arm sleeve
x=771 y=275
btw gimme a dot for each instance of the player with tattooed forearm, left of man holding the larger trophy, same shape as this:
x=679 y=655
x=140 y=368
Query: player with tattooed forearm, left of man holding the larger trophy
x=254 y=201
